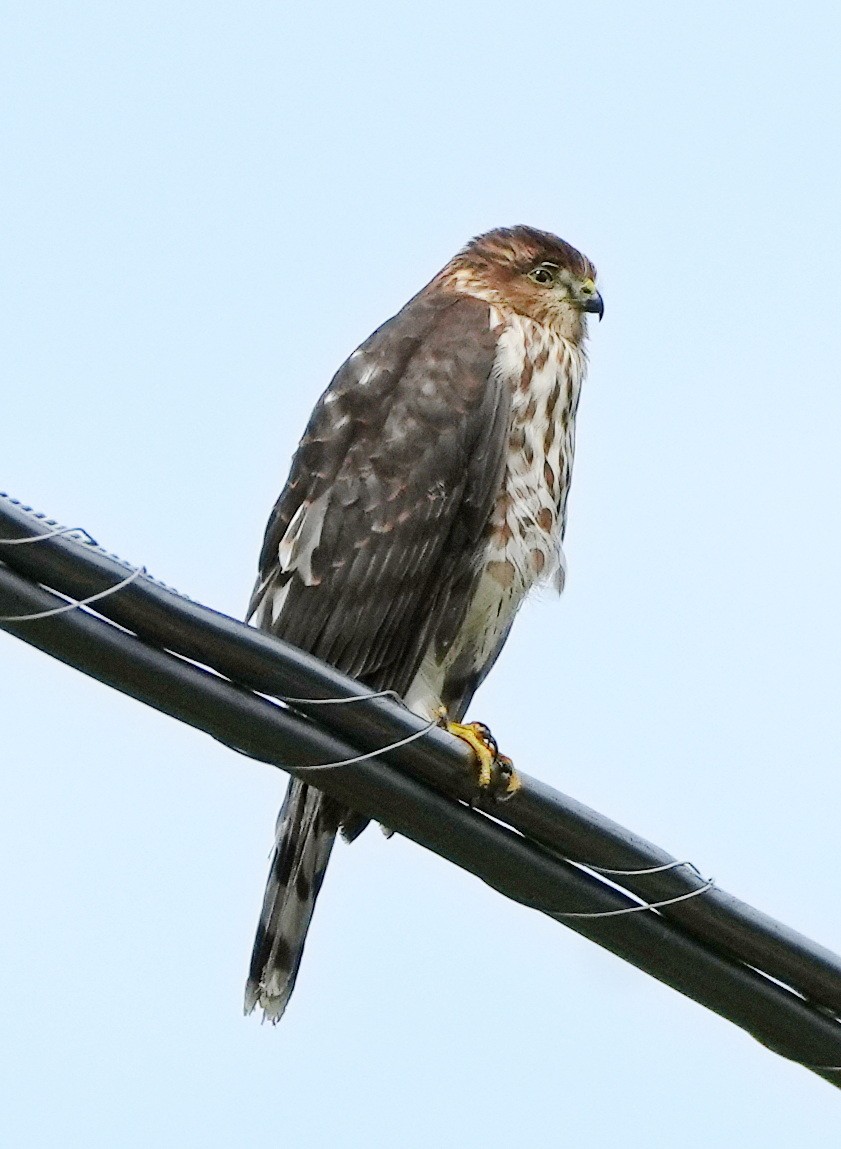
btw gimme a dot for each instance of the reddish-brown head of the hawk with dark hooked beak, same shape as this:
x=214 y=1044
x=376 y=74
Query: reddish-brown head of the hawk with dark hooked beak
x=533 y=273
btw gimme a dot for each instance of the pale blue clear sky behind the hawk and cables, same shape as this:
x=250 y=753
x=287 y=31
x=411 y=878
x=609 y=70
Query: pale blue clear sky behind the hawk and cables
x=205 y=209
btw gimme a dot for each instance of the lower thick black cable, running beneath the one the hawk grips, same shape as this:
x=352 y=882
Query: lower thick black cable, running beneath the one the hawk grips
x=504 y=859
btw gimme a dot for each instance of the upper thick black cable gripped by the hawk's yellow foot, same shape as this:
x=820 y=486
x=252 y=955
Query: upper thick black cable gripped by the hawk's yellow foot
x=543 y=815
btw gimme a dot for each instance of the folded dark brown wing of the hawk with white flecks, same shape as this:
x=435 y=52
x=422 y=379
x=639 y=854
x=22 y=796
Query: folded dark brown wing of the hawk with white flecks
x=379 y=534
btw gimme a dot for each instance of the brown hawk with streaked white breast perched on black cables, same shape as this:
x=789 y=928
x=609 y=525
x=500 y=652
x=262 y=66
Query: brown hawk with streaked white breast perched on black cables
x=427 y=498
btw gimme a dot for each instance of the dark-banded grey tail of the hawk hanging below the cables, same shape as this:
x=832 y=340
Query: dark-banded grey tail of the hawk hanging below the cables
x=306 y=831
